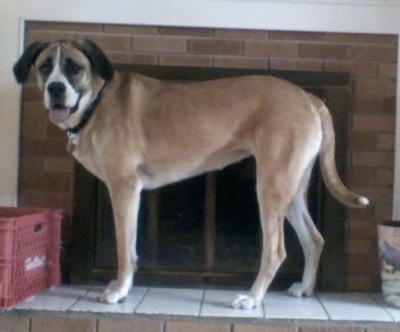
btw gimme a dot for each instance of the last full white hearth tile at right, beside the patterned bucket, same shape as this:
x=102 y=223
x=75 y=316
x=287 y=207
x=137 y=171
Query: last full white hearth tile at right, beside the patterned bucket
x=353 y=307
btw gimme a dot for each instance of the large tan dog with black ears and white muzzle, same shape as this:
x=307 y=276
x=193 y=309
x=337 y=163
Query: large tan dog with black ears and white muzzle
x=135 y=132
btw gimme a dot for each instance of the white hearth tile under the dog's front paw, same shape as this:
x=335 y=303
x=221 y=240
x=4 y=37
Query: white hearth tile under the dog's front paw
x=89 y=302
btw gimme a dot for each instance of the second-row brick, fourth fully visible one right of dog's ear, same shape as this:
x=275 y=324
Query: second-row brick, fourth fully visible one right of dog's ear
x=324 y=51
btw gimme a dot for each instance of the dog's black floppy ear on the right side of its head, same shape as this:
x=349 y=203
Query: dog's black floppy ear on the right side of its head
x=98 y=59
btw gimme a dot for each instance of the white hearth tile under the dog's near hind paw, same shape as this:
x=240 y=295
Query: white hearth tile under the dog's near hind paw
x=217 y=304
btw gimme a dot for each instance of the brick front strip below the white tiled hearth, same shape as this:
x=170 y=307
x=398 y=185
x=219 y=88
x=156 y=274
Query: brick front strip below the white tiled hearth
x=61 y=323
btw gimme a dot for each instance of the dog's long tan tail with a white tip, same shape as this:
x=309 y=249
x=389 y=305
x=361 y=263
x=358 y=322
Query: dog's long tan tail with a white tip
x=328 y=165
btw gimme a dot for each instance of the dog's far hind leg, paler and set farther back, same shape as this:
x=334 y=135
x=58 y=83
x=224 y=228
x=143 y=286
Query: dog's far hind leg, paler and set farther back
x=309 y=236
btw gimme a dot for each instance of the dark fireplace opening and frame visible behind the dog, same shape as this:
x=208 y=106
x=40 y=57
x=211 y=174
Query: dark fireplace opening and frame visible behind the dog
x=205 y=231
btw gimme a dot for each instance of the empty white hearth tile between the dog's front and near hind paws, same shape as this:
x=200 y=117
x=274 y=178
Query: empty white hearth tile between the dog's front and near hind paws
x=169 y=301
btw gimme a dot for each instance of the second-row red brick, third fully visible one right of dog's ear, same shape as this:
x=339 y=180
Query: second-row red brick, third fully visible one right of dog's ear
x=271 y=48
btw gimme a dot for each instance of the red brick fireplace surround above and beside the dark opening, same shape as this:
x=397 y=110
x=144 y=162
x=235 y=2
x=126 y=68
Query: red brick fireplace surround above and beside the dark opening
x=46 y=171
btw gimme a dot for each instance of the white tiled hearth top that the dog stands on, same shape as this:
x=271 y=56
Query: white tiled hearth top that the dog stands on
x=360 y=307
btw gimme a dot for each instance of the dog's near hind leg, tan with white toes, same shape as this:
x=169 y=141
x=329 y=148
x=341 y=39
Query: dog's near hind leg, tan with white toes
x=276 y=184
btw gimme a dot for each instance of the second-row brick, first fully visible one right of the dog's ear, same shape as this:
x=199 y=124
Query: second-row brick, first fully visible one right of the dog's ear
x=160 y=44
